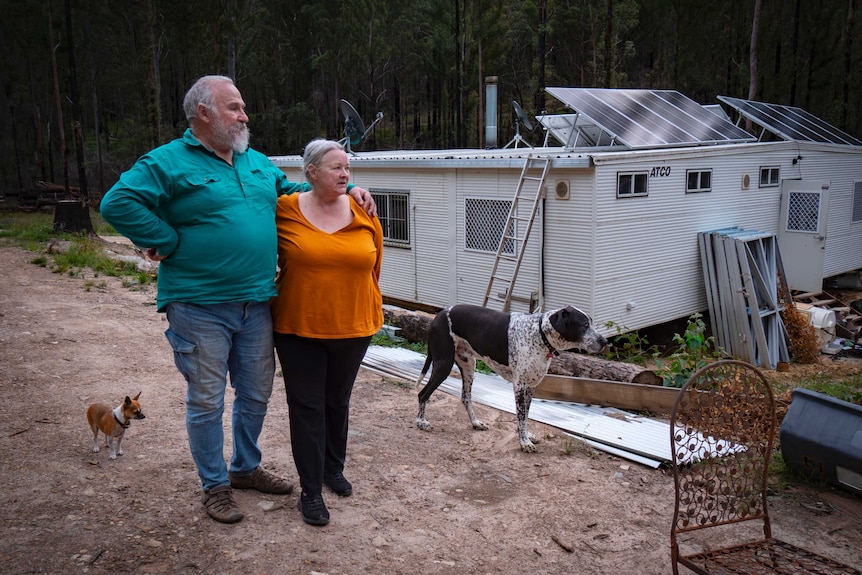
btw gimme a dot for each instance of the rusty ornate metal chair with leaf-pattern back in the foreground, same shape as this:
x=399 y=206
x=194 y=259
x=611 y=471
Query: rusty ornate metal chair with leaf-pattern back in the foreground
x=723 y=427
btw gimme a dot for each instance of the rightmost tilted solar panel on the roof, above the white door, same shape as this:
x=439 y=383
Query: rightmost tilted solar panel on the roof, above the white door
x=789 y=122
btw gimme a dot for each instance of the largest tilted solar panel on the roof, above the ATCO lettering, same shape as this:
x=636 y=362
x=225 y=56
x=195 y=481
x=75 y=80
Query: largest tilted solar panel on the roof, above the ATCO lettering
x=650 y=118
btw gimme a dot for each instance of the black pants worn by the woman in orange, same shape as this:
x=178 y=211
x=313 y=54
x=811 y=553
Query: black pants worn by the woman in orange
x=318 y=379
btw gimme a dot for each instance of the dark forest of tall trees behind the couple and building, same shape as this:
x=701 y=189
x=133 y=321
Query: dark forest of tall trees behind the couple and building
x=87 y=86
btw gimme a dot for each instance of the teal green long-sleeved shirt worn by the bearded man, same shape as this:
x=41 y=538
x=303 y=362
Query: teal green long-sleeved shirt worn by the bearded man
x=214 y=222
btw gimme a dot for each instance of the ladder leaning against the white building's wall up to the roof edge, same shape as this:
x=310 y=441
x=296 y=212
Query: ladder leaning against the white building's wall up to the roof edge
x=516 y=232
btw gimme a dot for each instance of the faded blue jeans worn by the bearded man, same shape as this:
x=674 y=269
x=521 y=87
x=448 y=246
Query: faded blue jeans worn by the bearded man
x=210 y=342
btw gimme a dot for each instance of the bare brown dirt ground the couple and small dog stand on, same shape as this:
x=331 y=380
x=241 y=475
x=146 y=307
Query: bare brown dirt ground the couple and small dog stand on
x=452 y=501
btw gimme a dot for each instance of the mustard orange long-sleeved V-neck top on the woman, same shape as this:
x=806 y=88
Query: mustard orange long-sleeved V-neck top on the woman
x=327 y=285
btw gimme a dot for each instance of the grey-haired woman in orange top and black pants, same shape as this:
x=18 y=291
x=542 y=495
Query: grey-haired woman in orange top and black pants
x=328 y=307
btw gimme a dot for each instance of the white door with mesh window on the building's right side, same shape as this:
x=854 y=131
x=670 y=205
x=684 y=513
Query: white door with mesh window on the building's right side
x=802 y=233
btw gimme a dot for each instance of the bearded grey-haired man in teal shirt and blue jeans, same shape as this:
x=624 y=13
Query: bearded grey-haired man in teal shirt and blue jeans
x=204 y=206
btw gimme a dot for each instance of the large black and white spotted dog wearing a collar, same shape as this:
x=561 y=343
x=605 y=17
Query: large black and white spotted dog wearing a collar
x=517 y=346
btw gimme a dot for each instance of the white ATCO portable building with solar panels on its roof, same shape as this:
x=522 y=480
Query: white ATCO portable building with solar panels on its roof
x=611 y=223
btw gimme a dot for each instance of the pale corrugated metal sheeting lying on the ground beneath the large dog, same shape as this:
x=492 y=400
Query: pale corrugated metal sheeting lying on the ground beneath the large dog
x=634 y=437
